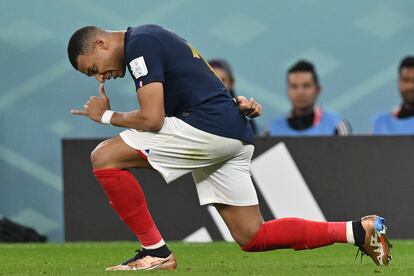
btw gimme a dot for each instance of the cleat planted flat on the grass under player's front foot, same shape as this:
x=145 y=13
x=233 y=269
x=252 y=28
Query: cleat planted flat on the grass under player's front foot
x=142 y=261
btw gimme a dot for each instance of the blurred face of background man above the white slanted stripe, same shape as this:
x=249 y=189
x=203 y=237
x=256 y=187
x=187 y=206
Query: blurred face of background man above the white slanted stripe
x=302 y=90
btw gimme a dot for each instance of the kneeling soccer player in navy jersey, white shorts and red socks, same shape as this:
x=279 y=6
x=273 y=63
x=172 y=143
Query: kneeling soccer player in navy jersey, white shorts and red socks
x=187 y=122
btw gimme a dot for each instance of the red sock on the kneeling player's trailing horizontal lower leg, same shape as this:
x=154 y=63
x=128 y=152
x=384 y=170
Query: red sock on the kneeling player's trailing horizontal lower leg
x=296 y=233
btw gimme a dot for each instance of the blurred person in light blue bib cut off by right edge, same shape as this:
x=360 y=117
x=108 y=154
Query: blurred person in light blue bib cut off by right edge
x=401 y=119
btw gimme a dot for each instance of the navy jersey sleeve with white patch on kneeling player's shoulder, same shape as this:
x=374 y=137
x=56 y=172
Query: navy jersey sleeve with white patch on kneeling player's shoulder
x=144 y=60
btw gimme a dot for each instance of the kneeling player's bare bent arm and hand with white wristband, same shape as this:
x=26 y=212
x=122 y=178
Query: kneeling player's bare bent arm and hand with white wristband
x=150 y=117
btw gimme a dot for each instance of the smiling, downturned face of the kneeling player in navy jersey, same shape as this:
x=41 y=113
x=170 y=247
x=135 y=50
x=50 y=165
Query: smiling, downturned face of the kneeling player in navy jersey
x=102 y=62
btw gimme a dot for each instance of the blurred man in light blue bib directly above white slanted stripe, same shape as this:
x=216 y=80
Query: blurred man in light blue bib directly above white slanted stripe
x=305 y=118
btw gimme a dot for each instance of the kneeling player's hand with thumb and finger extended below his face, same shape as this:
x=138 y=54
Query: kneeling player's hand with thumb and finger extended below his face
x=95 y=106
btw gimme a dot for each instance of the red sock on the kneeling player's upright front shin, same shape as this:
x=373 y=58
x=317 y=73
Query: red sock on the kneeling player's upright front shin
x=127 y=198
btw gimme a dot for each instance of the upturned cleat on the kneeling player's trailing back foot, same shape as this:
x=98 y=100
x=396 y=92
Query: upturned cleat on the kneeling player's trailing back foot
x=376 y=244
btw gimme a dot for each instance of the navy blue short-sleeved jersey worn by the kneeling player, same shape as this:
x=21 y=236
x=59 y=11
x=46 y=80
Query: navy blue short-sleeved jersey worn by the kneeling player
x=192 y=90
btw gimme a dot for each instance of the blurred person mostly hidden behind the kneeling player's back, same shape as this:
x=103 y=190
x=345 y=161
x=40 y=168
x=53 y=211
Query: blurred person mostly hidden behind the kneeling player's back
x=225 y=72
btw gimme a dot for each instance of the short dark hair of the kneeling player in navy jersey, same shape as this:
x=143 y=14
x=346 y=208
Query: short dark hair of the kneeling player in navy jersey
x=80 y=43
